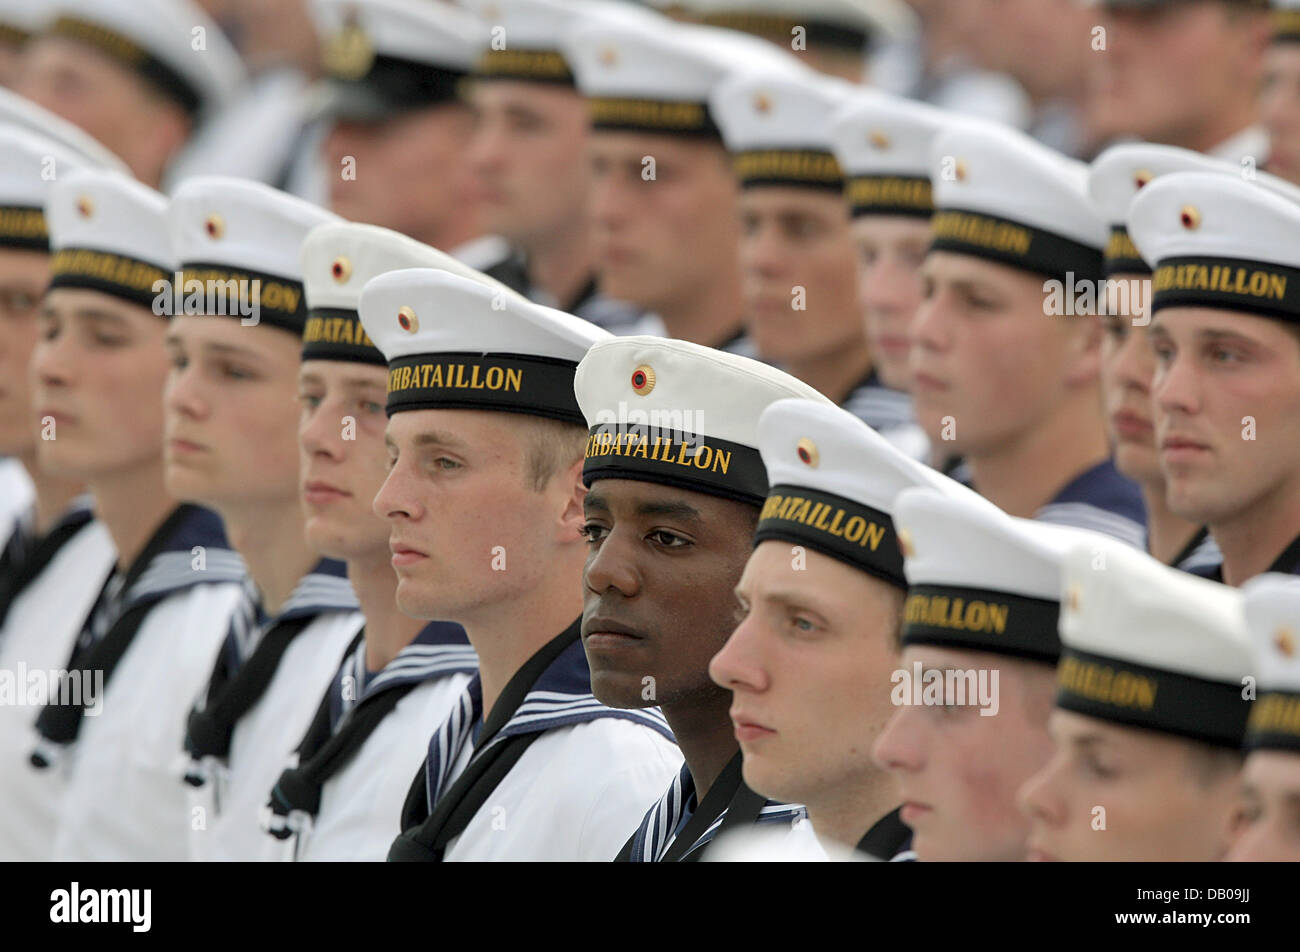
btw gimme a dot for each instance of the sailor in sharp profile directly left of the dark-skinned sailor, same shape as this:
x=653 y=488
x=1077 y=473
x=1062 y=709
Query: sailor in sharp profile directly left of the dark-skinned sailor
x=484 y=503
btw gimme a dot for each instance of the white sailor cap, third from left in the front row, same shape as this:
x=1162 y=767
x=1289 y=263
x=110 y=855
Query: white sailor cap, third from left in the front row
x=239 y=231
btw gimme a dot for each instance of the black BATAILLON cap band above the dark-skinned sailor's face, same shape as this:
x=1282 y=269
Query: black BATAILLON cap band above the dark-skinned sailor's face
x=700 y=464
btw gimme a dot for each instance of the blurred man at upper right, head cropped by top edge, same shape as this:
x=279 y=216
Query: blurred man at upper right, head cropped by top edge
x=1182 y=75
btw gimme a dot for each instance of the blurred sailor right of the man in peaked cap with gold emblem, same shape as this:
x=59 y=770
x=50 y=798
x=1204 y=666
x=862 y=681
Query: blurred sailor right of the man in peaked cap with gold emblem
x=530 y=152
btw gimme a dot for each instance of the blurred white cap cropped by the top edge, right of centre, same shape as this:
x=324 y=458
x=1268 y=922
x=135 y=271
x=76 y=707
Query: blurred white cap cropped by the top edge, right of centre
x=850 y=25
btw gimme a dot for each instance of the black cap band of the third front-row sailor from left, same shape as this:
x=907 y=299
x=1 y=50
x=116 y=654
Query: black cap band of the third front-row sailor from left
x=224 y=292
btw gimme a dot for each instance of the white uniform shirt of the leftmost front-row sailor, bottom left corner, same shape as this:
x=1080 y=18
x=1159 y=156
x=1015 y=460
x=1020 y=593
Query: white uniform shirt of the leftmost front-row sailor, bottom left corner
x=38 y=638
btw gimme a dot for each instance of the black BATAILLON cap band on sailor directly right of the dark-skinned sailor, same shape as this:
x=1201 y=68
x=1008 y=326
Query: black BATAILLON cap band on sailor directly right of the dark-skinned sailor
x=844 y=530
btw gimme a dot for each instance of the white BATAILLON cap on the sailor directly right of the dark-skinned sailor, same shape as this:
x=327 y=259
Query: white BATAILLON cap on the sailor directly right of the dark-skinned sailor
x=834 y=484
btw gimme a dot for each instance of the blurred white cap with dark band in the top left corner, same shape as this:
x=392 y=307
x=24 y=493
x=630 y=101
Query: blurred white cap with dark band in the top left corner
x=171 y=44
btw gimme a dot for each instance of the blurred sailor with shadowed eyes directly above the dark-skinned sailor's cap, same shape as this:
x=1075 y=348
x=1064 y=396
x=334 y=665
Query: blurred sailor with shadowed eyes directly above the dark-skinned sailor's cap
x=798 y=254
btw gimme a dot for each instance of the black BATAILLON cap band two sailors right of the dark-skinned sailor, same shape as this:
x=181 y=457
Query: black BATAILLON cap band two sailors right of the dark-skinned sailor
x=982 y=621
